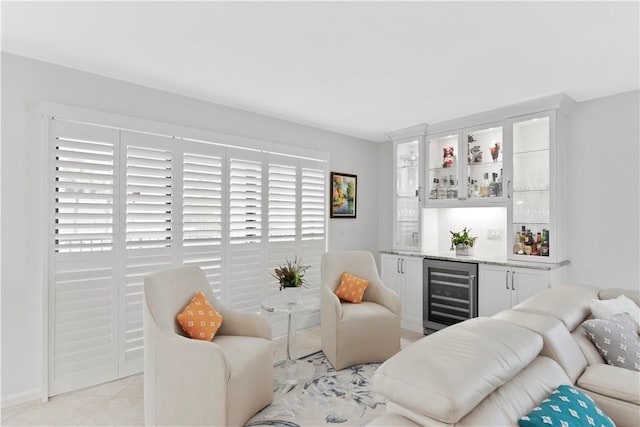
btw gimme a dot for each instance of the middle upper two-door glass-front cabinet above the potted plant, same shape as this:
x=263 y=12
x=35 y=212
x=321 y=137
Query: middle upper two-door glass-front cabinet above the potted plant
x=466 y=167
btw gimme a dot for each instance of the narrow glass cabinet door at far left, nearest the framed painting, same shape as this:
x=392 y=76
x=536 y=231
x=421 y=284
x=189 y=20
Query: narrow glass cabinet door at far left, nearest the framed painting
x=407 y=214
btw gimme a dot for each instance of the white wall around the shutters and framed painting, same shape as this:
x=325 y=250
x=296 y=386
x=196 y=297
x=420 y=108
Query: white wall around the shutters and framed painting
x=25 y=84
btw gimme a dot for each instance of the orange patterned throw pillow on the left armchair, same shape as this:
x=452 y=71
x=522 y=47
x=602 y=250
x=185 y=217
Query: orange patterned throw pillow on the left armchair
x=199 y=319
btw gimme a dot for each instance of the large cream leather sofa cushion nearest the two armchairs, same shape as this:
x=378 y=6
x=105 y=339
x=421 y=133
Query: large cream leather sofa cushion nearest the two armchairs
x=445 y=375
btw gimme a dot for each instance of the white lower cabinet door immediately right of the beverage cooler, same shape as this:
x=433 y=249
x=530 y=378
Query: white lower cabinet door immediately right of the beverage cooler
x=494 y=291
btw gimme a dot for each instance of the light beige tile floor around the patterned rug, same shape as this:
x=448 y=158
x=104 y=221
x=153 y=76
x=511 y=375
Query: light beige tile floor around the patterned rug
x=120 y=403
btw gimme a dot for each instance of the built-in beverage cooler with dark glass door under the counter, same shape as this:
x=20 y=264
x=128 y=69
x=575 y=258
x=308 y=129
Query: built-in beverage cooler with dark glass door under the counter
x=450 y=293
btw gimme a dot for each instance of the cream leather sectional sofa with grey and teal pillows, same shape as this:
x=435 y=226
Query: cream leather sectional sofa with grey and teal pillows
x=492 y=371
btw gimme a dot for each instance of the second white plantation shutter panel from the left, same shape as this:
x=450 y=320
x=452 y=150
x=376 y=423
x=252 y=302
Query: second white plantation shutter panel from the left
x=149 y=247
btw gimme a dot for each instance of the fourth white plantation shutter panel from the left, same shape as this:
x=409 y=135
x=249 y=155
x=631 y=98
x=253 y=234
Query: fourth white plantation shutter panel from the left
x=245 y=264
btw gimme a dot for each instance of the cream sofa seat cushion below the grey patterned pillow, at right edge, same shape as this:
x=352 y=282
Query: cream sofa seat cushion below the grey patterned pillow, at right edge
x=612 y=381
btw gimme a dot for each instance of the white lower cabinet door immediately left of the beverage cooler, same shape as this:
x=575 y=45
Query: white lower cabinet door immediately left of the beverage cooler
x=411 y=301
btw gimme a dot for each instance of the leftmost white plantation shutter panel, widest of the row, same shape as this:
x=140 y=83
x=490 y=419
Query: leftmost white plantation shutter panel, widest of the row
x=82 y=291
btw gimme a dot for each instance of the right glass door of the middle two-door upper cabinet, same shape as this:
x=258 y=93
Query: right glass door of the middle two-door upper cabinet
x=485 y=169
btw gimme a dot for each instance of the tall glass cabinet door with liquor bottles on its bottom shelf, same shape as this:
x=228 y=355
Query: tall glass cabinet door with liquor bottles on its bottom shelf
x=531 y=205
